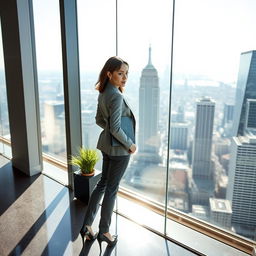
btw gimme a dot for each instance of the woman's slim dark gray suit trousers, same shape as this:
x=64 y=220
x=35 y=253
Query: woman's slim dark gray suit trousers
x=113 y=169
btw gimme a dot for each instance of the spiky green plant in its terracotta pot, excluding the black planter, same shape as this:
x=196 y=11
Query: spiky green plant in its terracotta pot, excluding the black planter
x=86 y=161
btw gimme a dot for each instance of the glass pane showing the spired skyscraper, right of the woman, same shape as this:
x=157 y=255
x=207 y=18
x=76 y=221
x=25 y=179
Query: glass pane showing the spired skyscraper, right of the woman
x=145 y=43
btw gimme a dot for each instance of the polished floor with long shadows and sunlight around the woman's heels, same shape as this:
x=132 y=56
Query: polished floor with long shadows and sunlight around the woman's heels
x=40 y=217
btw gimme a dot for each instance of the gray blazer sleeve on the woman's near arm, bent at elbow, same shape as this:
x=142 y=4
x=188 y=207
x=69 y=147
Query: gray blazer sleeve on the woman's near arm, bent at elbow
x=115 y=112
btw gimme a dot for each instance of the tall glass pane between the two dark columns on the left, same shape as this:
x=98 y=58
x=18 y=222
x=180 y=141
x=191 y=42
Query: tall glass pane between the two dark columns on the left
x=50 y=77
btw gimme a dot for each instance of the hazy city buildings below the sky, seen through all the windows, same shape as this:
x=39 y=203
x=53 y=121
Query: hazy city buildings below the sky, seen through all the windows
x=212 y=140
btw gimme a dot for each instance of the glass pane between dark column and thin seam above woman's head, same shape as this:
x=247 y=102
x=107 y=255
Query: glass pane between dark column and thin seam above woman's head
x=96 y=45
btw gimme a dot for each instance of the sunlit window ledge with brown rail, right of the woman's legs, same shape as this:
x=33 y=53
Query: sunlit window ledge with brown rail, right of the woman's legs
x=203 y=229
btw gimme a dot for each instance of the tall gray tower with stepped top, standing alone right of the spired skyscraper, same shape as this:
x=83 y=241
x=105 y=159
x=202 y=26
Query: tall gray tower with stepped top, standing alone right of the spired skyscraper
x=201 y=159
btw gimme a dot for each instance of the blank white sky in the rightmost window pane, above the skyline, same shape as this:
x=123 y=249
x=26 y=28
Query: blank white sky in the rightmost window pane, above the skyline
x=211 y=34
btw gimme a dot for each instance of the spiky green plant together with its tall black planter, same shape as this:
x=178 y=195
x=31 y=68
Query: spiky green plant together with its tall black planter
x=86 y=177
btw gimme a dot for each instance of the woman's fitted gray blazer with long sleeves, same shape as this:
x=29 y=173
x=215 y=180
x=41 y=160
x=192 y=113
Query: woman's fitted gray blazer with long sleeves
x=111 y=106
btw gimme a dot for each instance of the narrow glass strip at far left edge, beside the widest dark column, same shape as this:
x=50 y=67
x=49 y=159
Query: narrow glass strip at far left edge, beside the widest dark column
x=4 y=118
